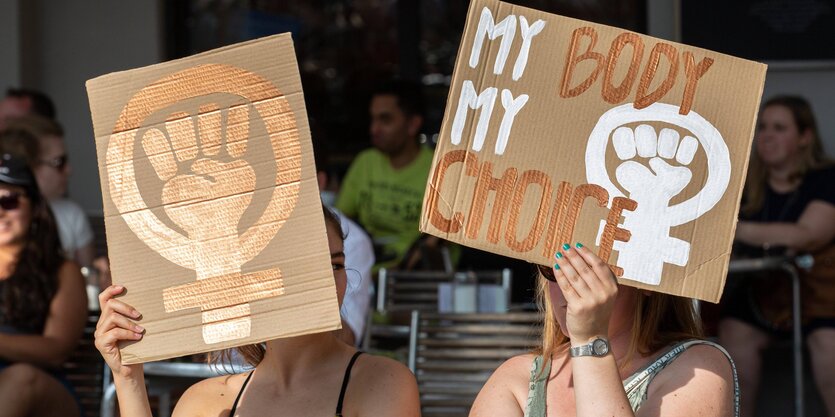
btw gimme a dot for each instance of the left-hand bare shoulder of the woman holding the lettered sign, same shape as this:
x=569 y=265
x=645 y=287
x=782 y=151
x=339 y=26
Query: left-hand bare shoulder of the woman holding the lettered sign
x=506 y=392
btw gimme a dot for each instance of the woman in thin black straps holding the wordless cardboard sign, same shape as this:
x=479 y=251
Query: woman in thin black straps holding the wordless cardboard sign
x=311 y=375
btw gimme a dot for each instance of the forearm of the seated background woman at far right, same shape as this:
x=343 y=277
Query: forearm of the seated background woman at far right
x=791 y=235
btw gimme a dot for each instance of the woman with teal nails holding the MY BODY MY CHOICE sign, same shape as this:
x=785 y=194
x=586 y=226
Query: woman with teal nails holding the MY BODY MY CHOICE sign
x=611 y=350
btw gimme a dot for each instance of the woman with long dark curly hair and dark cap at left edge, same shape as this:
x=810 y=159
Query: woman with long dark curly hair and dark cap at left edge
x=43 y=305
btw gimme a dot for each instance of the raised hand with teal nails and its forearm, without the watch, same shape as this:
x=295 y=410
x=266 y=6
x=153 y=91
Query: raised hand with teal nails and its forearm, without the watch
x=590 y=290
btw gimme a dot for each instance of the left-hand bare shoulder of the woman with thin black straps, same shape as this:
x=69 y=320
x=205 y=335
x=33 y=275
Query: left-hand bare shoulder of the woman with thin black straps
x=210 y=397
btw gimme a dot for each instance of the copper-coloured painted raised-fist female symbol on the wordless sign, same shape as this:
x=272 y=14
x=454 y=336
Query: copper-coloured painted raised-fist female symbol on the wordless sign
x=200 y=157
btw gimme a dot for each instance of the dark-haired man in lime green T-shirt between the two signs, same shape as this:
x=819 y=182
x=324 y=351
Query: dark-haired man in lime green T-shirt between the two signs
x=383 y=189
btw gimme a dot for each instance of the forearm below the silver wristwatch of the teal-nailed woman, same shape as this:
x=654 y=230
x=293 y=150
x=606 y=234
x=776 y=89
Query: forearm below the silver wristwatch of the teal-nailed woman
x=598 y=390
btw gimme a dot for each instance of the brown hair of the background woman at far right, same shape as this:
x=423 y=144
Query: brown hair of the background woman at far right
x=812 y=156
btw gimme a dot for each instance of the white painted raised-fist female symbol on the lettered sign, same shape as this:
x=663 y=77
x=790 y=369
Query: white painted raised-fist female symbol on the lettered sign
x=654 y=186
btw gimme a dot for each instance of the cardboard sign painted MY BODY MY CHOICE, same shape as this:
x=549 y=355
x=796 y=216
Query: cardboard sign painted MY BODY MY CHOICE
x=558 y=130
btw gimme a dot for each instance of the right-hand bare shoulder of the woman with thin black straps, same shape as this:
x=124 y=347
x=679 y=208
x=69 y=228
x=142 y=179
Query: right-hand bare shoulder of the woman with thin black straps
x=388 y=388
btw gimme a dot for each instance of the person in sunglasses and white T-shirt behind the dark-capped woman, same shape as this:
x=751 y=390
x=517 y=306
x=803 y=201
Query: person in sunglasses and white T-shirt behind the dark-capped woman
x=48 y=159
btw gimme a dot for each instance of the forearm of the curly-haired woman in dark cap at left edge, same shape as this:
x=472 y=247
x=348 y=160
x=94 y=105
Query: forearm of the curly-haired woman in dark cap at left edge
x=34 y=349
